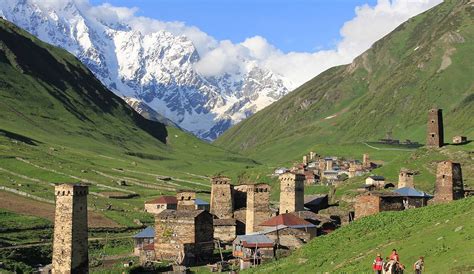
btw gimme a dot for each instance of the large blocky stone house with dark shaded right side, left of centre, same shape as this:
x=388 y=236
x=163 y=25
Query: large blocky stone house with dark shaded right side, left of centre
x=184 y=236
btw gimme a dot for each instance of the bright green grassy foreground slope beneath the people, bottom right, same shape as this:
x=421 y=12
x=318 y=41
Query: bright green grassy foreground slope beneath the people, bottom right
x=441 y=233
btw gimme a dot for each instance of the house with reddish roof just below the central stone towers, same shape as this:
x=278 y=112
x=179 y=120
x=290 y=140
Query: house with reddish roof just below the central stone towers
x=288 y=231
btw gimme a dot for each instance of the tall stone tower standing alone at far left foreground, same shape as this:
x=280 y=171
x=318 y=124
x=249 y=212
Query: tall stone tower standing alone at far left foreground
x=70 y=249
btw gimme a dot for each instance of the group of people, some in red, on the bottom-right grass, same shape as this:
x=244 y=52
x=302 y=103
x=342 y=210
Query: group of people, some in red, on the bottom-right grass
x=392 y=264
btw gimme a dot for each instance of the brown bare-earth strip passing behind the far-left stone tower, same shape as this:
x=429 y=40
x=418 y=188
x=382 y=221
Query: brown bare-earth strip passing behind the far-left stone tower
x=22 y=205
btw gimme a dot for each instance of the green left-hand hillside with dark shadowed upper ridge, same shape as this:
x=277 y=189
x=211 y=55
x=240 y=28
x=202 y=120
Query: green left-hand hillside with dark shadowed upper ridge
x=58 y=123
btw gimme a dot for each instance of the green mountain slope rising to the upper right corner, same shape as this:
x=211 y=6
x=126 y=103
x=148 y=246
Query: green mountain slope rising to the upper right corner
x=424 y=63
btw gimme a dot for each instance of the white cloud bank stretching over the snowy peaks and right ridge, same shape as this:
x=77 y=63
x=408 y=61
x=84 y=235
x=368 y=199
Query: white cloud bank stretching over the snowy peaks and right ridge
x=217 y=57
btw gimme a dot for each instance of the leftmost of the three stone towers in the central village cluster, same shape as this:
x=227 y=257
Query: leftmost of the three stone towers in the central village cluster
x=221 y=197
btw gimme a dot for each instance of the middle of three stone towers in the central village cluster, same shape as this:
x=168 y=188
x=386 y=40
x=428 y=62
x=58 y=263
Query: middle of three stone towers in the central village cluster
x=258 y=206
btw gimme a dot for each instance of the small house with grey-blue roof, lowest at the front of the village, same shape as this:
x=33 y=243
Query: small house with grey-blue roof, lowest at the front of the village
x=253 y=249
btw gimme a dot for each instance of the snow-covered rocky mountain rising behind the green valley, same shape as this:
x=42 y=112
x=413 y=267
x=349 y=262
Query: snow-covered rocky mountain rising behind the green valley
x=157 y=68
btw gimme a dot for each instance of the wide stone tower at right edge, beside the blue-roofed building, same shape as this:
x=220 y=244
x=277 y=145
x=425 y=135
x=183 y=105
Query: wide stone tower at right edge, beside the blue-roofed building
x=449 y=185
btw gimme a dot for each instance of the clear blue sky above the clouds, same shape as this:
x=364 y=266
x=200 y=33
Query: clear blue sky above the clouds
x=297 y=25
